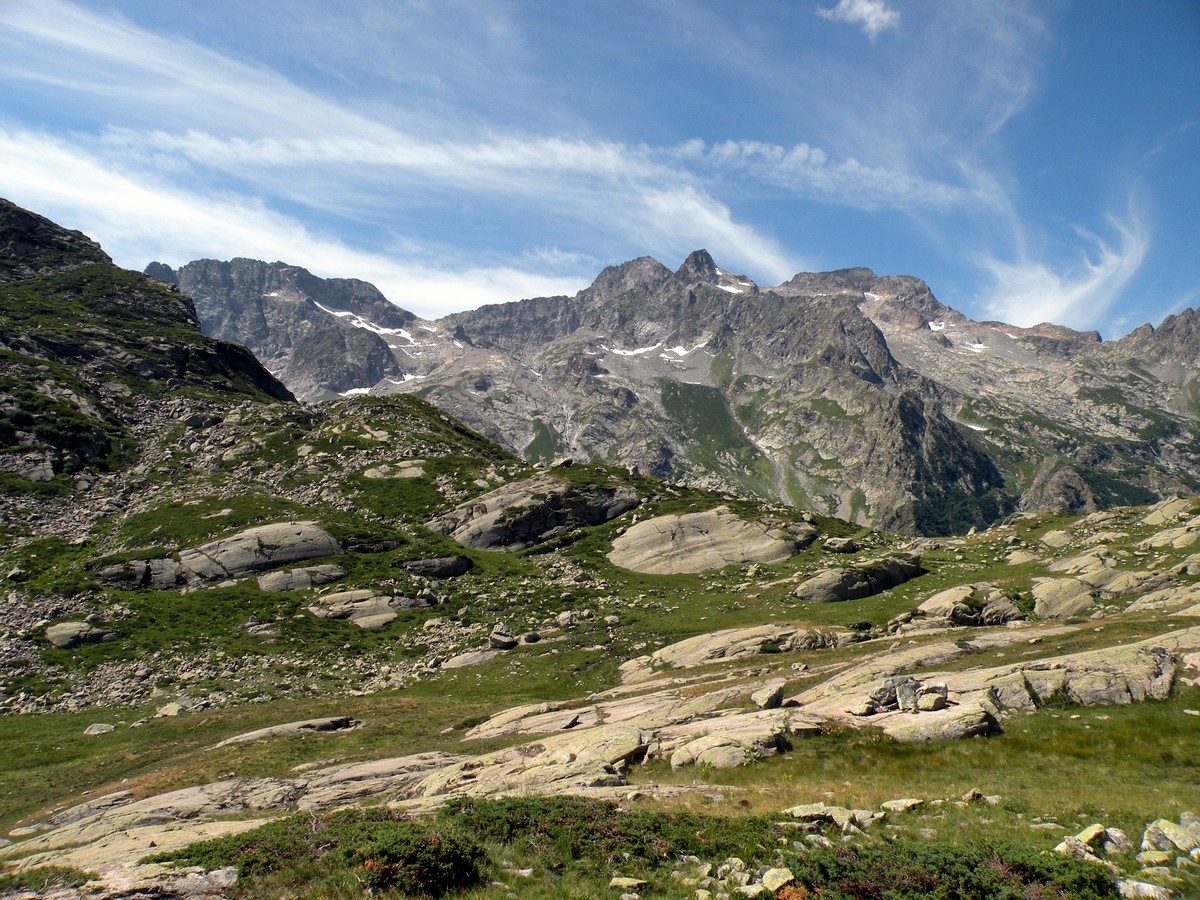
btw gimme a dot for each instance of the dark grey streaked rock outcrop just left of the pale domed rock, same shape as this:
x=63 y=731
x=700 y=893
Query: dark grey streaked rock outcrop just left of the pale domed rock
x=532 y=512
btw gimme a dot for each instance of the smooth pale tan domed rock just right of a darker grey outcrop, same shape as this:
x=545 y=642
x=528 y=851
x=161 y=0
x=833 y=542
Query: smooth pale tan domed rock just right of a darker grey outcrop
x=703 y=542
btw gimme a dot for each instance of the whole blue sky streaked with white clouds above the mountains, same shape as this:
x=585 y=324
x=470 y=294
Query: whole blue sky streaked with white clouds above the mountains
x=1031 y=161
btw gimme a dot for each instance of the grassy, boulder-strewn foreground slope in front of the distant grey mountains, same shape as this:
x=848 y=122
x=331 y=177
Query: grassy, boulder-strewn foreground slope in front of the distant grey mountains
x=223 y=608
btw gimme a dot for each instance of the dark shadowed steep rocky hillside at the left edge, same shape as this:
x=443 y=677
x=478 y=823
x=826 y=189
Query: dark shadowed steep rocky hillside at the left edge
x=85 y=341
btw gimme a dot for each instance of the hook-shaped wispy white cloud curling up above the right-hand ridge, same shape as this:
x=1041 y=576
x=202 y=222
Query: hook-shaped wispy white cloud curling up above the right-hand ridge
x=1029 y=292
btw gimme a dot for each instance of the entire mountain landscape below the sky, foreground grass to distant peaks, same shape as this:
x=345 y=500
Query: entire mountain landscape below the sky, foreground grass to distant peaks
x=676 y=589
